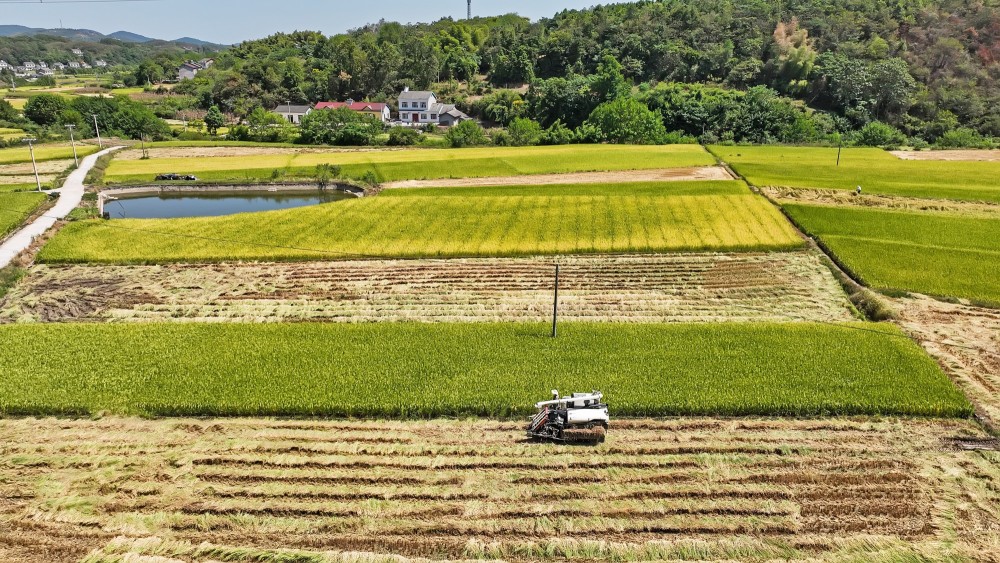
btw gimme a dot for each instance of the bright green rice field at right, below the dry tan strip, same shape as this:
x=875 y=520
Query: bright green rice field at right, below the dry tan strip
x=931 y=253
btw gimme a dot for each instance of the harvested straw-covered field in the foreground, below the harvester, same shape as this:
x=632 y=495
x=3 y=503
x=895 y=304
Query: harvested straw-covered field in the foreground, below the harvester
x=238 y=490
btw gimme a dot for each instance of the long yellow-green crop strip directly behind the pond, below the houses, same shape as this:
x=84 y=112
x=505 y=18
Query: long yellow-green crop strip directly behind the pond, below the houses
x=421 y=164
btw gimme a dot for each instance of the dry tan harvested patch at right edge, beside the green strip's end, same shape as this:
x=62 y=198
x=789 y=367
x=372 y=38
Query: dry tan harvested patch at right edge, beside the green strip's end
x=966 y=340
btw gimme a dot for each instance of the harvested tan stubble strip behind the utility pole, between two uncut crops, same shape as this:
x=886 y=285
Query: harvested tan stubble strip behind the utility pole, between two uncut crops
x=644 y=288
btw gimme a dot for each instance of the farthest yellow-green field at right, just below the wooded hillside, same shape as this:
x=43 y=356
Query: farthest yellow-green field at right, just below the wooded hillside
x=875 y=170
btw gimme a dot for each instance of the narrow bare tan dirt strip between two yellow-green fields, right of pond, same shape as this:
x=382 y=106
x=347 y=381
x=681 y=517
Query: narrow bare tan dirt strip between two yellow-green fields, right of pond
x=617 y=177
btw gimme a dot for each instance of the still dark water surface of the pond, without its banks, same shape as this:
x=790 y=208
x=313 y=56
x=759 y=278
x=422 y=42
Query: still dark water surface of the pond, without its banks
x=214 y=204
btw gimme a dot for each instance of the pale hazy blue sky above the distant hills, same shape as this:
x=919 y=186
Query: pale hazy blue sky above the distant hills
x=231 y=21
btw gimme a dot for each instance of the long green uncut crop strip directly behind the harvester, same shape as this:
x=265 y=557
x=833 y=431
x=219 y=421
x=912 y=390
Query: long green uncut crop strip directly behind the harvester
x=407 y=370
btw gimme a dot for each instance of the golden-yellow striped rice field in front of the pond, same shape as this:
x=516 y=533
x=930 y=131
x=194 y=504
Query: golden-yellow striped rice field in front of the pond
x=452 y=222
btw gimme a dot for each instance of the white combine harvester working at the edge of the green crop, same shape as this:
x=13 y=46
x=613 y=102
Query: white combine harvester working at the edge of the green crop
x=581 y=418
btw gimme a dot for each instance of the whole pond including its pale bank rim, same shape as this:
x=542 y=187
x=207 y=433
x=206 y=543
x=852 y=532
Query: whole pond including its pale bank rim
x=158 y=203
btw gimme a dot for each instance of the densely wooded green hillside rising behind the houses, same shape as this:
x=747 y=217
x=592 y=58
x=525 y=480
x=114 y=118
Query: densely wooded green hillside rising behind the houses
x=925 y=67
